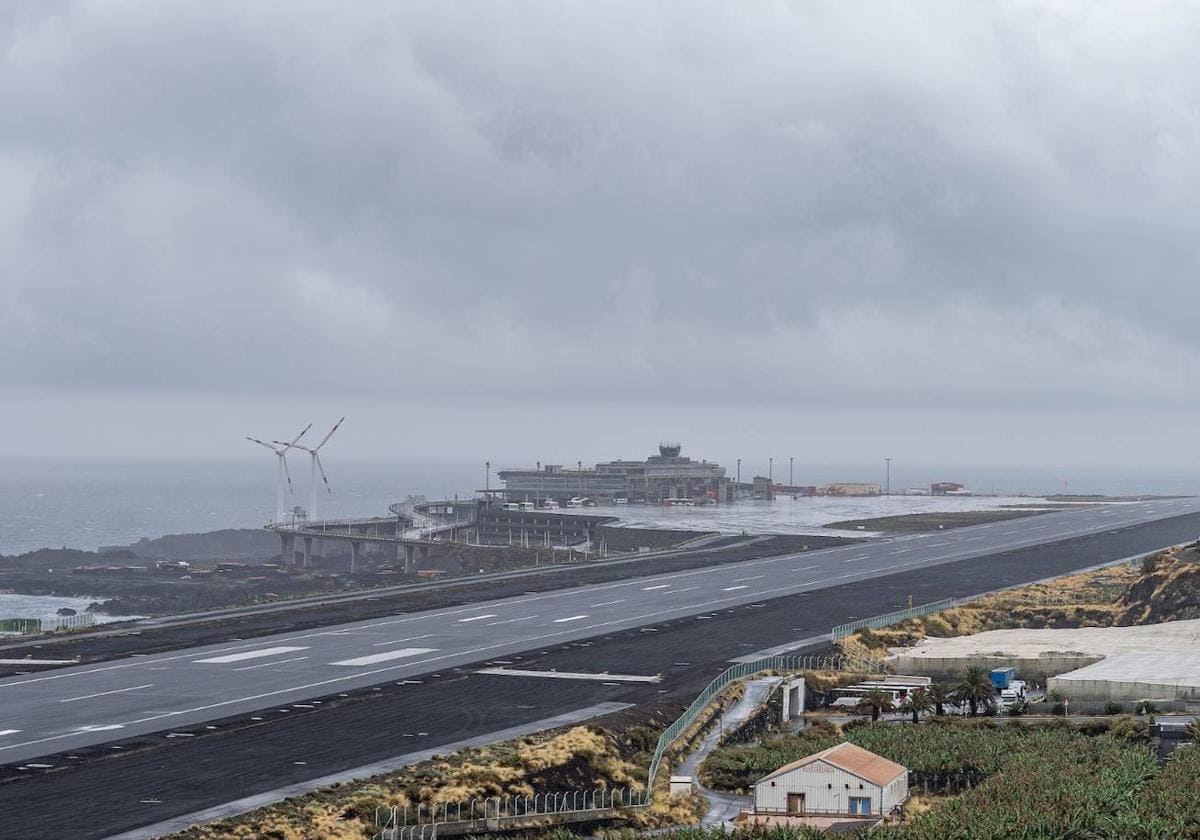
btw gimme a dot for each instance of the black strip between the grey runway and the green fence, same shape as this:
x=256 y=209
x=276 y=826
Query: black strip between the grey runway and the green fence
x=104 y=790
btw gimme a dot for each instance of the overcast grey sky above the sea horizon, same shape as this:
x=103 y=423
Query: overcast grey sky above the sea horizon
x=962 y=232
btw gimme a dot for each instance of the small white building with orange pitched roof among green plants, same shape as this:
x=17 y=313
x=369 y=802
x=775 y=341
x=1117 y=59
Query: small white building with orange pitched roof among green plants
x=844 y=781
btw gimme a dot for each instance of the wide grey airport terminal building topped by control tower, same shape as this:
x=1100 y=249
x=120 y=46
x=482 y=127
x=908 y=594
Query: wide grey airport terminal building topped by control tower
x=661 y=478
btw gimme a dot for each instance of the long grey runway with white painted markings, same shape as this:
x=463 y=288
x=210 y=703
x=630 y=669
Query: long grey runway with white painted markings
x=75 y=707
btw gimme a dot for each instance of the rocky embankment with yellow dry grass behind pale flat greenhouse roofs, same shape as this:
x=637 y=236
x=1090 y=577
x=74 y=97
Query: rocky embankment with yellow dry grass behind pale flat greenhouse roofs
x=1165 y=587
